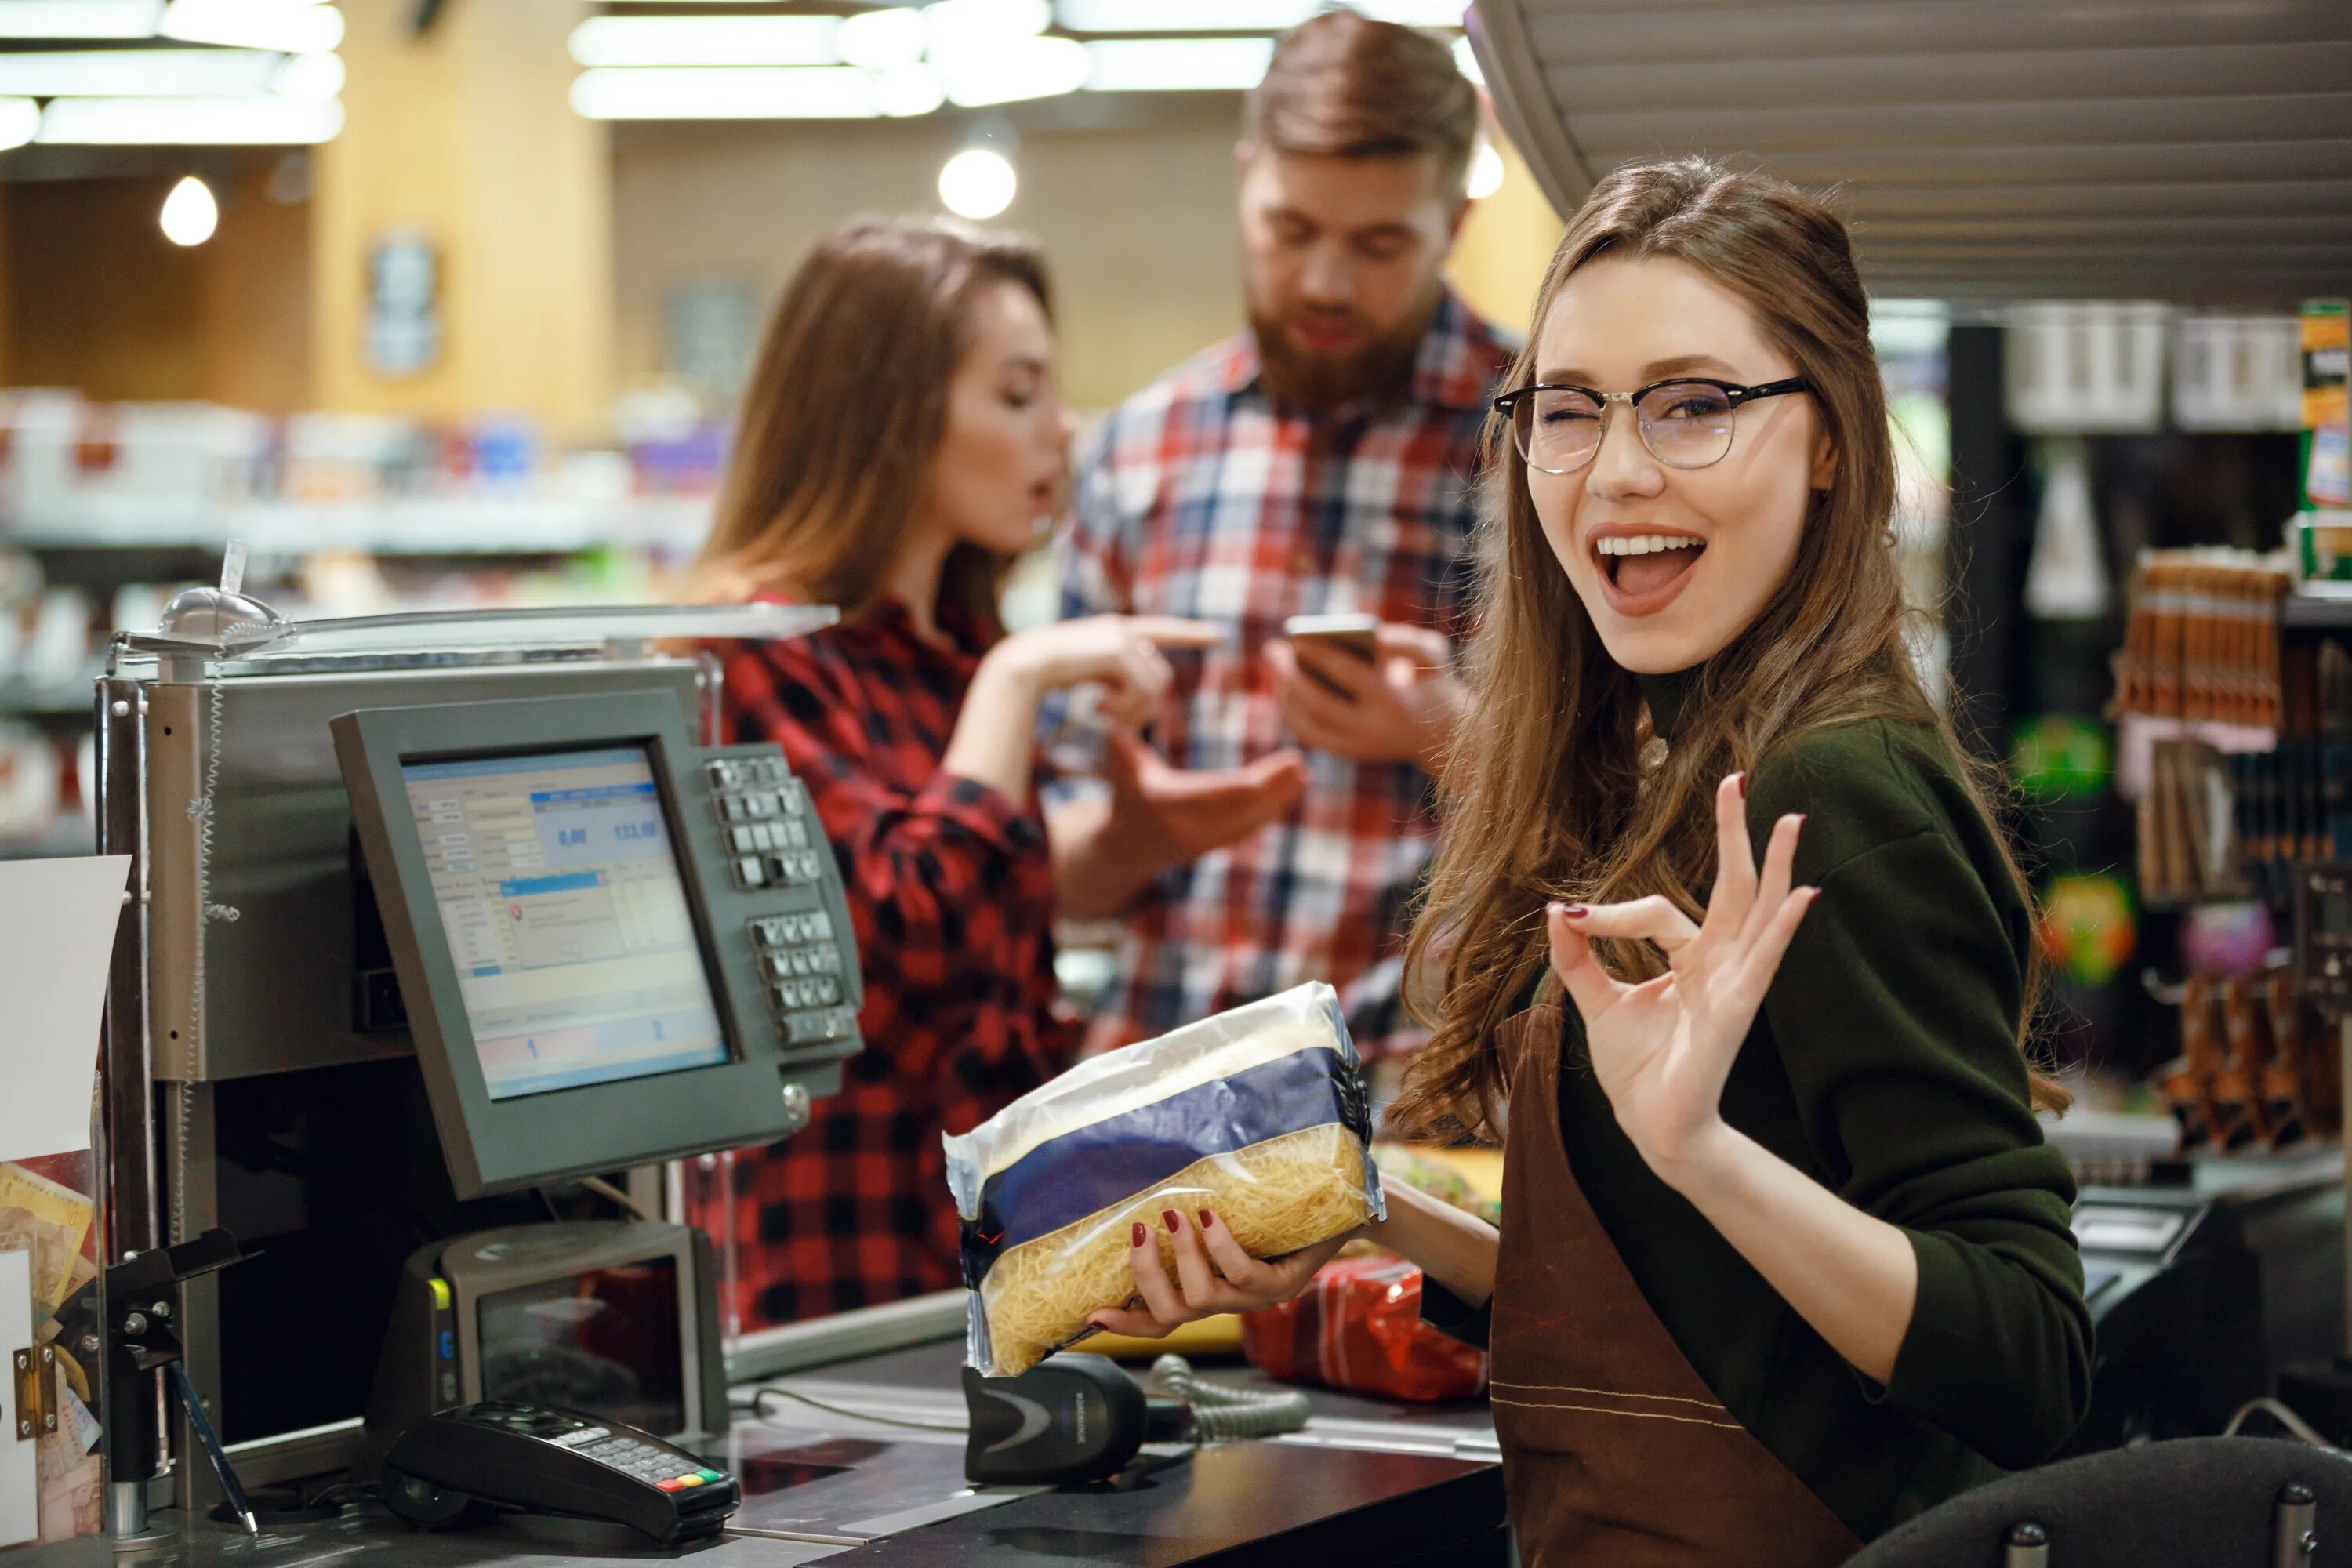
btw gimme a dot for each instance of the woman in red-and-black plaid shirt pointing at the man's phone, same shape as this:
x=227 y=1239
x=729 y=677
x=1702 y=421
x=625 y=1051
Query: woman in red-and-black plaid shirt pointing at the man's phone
x=902 y=443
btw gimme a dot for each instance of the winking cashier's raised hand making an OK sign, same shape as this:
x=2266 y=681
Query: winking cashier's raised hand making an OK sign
x=1662 y=1050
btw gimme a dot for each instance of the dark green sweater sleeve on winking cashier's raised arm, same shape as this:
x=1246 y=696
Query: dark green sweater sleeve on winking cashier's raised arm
x=1895 y=1014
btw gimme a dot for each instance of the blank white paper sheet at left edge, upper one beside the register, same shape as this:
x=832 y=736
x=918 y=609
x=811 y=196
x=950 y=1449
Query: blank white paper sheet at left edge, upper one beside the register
x=58 y=939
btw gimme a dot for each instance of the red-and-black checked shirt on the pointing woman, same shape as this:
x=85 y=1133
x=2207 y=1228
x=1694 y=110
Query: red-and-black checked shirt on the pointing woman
x=954 y=904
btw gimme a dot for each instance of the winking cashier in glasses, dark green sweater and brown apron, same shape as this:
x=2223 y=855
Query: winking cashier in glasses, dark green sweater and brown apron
x=1784 y=1257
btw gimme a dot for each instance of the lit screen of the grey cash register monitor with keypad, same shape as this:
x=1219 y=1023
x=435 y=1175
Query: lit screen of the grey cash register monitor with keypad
x=566 y=916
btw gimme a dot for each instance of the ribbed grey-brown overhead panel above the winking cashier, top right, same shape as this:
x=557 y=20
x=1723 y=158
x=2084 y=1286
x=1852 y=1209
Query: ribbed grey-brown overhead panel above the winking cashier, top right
x=2012 y=149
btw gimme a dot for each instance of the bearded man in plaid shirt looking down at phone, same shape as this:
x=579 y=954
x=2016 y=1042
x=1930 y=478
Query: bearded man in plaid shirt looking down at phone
x=1316 y=464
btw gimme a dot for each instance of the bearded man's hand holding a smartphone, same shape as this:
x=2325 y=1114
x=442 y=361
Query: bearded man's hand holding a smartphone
x=1403 y=706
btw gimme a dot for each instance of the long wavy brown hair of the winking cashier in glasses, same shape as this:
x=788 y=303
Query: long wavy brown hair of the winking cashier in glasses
x=1556 y=786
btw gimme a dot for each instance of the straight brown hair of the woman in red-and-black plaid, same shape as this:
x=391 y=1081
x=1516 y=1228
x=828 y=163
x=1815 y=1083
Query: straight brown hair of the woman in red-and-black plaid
x=846 y=410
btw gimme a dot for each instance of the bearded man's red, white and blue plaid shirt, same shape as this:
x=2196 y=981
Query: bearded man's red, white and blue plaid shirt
x=1208 y=500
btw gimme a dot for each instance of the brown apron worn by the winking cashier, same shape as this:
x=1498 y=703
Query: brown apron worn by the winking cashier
x=1615 y=1452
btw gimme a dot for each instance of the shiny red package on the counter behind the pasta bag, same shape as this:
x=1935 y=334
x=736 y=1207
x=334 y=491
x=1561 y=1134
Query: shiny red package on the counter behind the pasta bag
x=1358 y=1329
